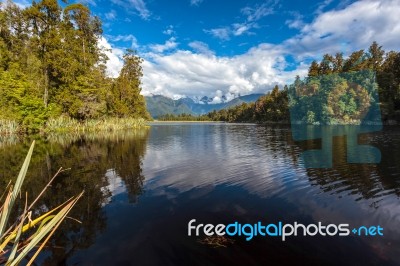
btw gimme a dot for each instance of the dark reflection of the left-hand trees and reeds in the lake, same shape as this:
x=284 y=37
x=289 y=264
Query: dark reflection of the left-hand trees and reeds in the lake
x=100 y=164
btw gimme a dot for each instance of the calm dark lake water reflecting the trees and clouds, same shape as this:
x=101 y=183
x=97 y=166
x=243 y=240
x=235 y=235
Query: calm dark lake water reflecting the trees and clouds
x=142 y=189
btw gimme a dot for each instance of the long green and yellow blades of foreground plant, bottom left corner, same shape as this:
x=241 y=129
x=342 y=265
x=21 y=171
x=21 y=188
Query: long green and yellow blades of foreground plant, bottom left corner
x=14 y=247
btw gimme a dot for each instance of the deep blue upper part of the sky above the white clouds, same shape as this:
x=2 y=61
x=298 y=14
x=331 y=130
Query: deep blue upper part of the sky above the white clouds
x=227 y=27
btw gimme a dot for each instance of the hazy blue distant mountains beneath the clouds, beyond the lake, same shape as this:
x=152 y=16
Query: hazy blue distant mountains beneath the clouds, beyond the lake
x=158 y=105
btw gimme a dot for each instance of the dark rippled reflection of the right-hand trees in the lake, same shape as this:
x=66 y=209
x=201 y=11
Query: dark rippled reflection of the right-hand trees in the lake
x=368 y=181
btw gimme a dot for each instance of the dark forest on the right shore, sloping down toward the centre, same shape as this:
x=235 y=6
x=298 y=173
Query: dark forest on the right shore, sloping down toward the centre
x=336 y=90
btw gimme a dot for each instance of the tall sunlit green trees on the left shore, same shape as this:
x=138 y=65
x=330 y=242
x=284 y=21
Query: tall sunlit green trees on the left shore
x=52 y=67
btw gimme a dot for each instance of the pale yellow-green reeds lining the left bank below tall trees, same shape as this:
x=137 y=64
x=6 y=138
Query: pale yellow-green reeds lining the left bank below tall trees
x=69 y=125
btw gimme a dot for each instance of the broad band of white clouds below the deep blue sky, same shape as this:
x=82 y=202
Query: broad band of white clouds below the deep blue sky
x=200 y=72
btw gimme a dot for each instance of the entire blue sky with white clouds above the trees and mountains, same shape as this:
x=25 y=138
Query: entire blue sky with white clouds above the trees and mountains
x=224 y=47
